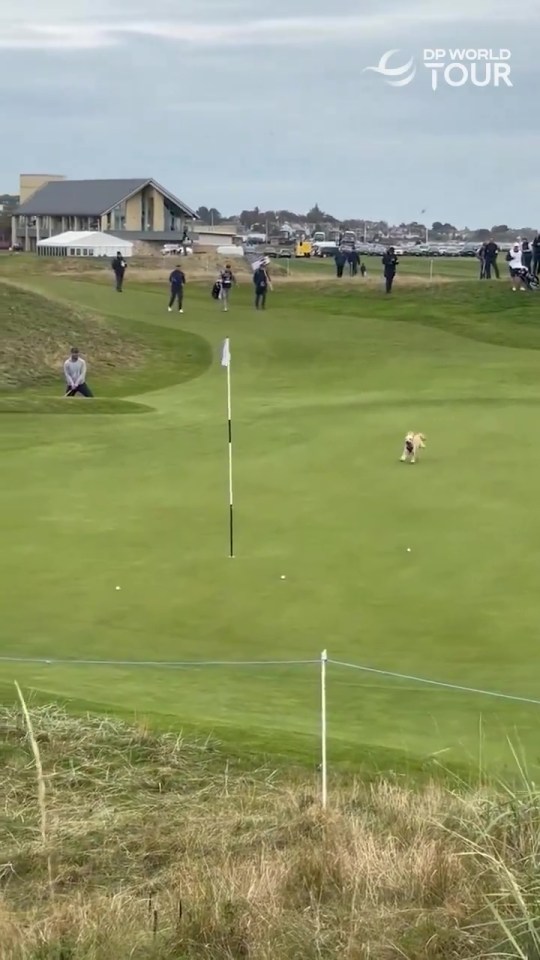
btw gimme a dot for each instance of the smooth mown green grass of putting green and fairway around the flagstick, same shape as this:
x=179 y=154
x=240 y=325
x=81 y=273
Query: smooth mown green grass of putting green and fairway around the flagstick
x=325 y=384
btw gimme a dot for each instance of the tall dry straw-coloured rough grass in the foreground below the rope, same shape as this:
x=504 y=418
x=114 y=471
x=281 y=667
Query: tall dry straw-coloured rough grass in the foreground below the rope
x=161 y=848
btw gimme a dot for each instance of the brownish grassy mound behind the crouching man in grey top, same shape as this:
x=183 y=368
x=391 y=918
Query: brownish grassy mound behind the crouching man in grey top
x=36 y=334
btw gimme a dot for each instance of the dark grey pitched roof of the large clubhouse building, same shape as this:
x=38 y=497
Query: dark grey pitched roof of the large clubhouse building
x=89 y=198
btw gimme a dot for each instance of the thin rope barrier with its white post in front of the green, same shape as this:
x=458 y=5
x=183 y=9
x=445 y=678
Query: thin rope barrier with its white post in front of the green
x=323 y=662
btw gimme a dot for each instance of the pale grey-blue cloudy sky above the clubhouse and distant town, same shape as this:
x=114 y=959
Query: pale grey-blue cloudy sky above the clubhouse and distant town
x=233 y=104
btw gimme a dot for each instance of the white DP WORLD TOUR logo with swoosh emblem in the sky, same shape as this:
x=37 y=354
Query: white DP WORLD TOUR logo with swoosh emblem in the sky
x=455 y=68
